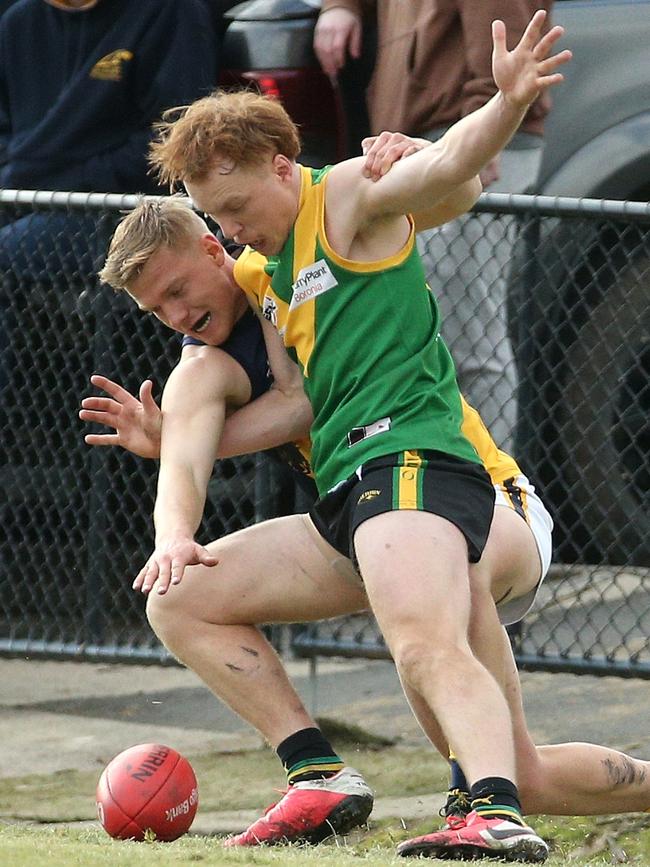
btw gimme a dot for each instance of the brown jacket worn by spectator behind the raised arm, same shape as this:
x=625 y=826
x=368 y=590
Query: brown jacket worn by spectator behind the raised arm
x=433 y=61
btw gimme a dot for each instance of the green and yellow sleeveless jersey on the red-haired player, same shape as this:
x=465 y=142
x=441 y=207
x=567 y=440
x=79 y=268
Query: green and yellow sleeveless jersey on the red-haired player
x=366 y=337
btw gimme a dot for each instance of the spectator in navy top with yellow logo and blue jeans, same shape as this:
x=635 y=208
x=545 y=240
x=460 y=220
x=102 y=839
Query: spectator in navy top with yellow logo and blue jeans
x=81 y=83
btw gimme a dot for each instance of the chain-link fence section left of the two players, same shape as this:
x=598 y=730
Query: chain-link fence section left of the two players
x=77 y=520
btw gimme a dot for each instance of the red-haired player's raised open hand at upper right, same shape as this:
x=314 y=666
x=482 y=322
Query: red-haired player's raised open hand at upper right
x=523 y=73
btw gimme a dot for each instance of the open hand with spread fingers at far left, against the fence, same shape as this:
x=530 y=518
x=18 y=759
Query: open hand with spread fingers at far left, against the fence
x=137 y=422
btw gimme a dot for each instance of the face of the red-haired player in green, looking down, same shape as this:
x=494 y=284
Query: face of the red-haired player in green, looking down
x=255 y=206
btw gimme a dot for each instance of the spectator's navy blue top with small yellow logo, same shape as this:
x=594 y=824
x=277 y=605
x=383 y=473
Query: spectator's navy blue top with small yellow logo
x=79 y=91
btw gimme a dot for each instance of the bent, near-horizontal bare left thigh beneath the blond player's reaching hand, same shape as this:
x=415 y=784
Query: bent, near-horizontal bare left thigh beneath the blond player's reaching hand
x=272 y=572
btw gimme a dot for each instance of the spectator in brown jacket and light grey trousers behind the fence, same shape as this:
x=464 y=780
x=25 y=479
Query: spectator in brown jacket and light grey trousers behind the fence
x=433 y=67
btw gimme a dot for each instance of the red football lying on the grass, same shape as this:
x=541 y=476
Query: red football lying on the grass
x=149 y=786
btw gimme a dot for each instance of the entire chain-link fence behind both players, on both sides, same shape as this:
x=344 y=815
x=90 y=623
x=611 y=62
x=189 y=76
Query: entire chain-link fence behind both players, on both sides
x=552 y=298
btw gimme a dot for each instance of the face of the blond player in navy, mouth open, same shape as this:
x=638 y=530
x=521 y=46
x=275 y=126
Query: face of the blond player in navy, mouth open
x=190 y=291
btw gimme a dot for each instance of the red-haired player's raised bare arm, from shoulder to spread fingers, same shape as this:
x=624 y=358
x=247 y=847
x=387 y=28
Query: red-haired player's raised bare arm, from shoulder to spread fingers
x=358 y=208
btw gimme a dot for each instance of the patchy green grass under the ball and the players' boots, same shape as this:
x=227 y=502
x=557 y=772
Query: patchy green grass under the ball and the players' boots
x=38 y=816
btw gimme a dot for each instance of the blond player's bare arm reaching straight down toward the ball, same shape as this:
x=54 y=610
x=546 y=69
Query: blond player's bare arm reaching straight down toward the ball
x=197 y=396
